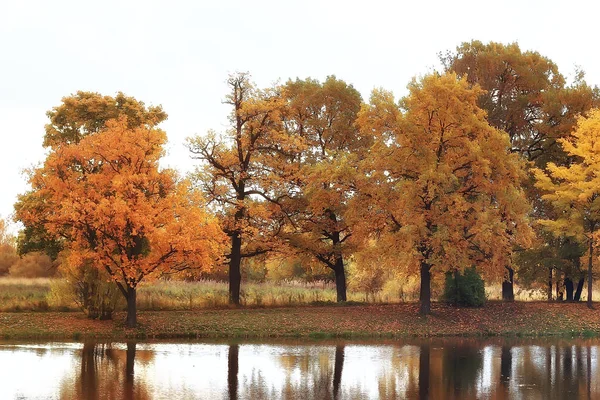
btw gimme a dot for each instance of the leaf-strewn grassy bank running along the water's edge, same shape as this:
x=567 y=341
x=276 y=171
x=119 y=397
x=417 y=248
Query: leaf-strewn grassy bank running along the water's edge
x=328 y=321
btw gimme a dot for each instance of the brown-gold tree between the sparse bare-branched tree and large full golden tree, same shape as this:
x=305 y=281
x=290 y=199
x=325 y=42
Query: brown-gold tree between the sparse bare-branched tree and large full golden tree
x=324 y=115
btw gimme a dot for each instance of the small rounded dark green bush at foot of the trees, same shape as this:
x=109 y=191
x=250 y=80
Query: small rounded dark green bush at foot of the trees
x=466 y=289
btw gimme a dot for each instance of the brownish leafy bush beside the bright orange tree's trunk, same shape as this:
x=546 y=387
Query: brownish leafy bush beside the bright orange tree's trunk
x=90 y=289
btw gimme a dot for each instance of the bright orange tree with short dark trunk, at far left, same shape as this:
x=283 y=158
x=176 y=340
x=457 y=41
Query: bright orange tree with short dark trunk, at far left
x=117 y=211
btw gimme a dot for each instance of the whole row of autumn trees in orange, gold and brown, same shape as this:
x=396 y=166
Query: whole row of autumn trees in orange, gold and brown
x=455 y=175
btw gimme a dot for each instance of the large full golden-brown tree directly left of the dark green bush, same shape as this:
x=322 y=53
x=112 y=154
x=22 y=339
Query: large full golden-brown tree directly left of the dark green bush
x=445 y=190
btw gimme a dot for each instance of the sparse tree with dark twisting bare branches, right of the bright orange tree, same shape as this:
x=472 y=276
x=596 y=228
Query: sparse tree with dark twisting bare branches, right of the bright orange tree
x=243 y=173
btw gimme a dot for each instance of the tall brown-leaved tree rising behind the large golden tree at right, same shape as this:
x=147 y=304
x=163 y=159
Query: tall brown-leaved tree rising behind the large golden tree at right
x=526 y=96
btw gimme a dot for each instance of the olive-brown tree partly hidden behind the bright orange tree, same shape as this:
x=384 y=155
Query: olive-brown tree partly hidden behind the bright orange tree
x=79 y=115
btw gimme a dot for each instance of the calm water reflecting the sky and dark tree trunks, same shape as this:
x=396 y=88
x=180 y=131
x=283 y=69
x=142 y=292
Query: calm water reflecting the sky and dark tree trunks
x=439 y=369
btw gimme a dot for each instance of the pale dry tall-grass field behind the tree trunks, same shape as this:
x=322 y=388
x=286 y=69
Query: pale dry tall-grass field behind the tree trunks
x=20 y=294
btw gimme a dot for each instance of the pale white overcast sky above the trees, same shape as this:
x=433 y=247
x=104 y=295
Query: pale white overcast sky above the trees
x=179 y=53
